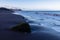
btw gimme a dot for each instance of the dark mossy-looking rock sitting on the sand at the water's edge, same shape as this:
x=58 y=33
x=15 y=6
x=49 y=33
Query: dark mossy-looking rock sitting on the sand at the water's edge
x=22 y=27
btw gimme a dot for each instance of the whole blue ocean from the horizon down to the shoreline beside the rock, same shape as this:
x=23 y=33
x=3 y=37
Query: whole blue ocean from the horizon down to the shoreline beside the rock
x=36 y=19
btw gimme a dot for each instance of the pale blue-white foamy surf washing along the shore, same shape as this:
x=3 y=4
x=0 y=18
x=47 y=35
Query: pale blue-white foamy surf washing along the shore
x=41 y=19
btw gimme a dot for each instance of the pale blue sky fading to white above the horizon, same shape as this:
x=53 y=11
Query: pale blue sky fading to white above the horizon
x=31 y=4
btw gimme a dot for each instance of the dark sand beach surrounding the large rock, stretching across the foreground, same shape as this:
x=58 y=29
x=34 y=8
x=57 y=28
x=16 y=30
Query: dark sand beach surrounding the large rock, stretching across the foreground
x=8 y=20
